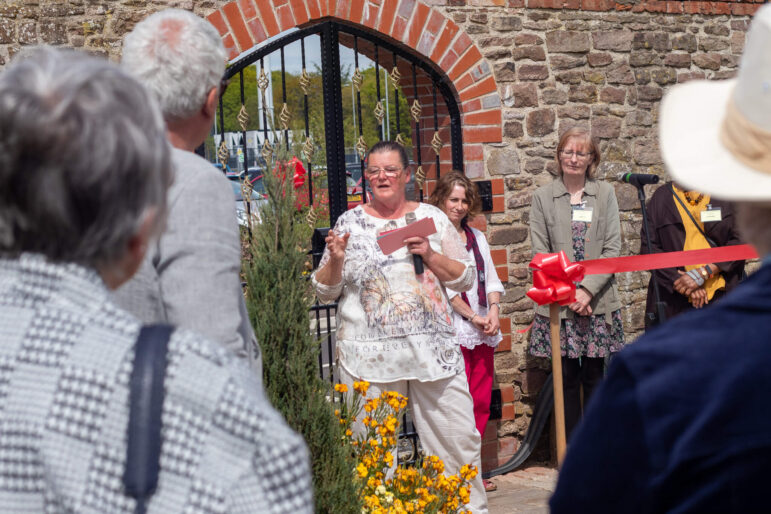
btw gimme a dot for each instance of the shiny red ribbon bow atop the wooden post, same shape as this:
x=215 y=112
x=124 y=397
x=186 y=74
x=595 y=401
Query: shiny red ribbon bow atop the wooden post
x=554 y=278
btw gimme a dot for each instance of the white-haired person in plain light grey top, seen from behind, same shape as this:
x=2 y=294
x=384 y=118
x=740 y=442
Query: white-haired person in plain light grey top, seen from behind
x=190 y=277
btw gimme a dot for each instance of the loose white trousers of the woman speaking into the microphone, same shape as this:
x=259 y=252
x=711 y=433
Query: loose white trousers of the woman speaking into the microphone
x=443 y=413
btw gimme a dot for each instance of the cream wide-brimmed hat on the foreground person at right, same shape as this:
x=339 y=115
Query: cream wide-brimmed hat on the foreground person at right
x=715 y=136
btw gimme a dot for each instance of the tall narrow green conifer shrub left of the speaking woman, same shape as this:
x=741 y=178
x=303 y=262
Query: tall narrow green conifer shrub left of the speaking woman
x=278 y=300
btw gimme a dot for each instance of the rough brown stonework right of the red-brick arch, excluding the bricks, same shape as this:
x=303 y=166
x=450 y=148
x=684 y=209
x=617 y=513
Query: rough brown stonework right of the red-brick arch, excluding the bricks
x=605 y=70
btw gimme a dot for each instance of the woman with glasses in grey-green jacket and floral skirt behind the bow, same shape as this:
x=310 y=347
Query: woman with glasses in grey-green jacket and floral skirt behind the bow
x=579 y=215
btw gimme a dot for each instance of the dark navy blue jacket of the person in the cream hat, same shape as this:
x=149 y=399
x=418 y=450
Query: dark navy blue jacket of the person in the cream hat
x=682 y=422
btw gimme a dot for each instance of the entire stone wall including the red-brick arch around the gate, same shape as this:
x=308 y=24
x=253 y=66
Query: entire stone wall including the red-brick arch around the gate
x=555 y=63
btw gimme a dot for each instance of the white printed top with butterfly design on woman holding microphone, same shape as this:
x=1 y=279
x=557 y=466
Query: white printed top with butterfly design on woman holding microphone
x=391 y=323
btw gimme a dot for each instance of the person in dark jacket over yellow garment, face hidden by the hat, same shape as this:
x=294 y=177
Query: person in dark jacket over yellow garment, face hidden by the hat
x=680 y=219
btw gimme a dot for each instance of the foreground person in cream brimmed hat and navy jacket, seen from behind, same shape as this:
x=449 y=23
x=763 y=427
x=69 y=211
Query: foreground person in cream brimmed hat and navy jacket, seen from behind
x=682 y=422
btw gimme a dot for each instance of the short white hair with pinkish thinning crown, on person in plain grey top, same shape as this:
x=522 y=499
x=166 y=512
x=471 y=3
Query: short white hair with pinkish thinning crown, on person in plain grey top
x=179 y=57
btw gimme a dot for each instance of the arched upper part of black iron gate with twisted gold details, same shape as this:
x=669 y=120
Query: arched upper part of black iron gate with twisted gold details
x=367 y=55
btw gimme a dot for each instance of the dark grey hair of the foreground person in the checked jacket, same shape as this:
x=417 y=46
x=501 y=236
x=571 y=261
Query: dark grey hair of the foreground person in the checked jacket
x=83 y=158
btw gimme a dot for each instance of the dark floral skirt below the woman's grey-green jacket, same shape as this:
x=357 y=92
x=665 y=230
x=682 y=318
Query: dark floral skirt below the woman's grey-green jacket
x=582 y=336
